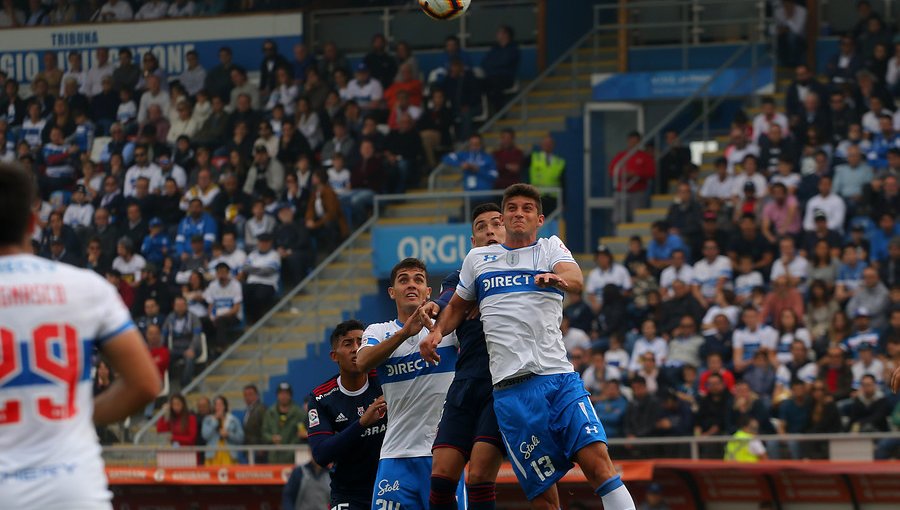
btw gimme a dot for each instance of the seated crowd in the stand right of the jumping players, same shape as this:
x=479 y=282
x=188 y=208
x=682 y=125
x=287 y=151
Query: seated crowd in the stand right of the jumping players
x=768 y=299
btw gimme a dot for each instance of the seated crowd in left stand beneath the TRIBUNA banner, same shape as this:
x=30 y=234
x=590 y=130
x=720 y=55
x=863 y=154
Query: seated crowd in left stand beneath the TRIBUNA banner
x=204 y=195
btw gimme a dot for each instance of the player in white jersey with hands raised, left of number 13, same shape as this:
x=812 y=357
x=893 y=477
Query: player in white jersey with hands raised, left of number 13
x=414 y=391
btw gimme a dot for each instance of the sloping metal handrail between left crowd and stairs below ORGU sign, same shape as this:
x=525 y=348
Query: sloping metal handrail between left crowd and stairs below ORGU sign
x=249 y=333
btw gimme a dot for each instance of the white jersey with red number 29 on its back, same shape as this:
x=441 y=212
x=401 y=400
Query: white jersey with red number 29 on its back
x=51 y=317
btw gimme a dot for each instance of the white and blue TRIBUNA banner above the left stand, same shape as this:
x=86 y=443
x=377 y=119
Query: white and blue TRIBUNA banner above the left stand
x=21 y=54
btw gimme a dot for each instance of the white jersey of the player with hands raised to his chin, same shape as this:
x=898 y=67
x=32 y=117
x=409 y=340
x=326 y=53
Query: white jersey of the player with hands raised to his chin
x=414 y=390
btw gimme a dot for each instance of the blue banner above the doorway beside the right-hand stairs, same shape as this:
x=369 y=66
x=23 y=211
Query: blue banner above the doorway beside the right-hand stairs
x=680 y=84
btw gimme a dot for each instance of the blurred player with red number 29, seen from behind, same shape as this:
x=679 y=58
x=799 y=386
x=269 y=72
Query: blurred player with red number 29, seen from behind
x=51 y=317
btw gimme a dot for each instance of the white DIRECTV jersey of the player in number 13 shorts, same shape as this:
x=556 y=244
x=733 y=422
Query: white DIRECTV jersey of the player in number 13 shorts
x=521 y=320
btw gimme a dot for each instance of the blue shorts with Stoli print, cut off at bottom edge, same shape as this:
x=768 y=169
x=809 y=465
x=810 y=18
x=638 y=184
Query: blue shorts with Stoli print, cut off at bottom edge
x=404 y=484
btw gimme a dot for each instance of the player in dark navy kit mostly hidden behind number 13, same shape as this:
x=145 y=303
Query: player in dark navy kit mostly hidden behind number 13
x=468 y=429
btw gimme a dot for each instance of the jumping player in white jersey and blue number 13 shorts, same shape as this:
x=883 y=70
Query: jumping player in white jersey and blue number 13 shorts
x=546 y=419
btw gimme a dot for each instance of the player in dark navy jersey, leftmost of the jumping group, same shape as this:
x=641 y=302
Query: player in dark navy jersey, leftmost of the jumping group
x=347 y=422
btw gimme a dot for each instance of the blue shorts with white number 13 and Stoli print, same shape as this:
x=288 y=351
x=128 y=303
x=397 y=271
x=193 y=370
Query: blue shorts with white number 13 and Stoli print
x=544 y=421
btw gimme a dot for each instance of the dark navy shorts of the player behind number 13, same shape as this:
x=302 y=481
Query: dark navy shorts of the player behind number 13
x=468 y=417
